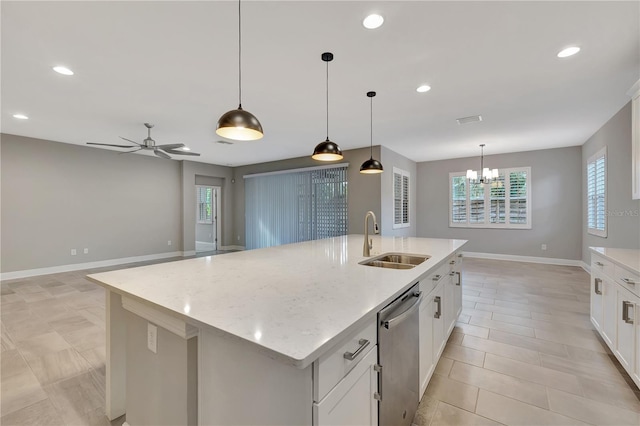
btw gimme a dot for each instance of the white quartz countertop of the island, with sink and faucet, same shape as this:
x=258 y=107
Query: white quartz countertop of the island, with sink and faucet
x=292 y=302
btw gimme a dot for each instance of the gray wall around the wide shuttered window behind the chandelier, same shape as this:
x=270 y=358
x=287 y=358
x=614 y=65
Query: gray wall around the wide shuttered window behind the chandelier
x=556 y=202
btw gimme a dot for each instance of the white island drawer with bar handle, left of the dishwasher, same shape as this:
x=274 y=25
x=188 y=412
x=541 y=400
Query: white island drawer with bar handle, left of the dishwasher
x=331 y=367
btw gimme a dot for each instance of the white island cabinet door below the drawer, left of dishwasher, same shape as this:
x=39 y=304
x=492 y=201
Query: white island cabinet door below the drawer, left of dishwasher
x=352 y=401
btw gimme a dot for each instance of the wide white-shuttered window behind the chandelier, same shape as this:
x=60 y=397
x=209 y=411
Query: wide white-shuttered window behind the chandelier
x=504 y=203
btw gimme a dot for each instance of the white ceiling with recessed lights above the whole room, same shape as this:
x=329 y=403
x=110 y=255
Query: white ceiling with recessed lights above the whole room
x=174 y=64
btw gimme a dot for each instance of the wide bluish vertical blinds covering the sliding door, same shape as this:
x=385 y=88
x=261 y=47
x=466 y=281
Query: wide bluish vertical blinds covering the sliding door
x=298 y=206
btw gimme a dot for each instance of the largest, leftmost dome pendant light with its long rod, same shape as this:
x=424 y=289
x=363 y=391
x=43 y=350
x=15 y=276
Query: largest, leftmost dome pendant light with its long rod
x=238 y=124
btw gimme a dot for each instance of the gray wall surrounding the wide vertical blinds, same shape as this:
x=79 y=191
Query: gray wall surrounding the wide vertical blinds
x=363 y=192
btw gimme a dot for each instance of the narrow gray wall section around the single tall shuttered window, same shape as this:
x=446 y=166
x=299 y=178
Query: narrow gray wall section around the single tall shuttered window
x=389 y=160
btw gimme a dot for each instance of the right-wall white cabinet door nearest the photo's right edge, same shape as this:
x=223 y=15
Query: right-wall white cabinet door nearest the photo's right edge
x=625 y=339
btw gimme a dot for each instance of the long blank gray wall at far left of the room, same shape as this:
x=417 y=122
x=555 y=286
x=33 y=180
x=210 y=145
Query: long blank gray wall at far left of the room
x=58 y=196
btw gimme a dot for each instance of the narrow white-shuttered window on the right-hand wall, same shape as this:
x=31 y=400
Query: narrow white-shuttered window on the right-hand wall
x=597 y=193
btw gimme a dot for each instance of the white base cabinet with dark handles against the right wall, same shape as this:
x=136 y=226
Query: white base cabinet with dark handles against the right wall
x=616 y=311
